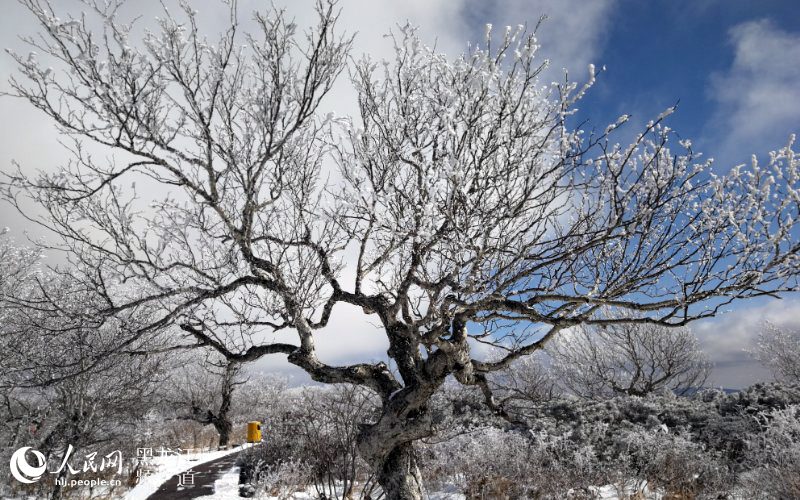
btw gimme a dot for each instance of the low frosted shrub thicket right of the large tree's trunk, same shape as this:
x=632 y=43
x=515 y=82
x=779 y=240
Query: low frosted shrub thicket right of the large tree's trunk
x=683 y=447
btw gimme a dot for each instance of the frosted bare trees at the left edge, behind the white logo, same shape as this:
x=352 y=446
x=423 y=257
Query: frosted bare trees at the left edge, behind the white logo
x=60 y=388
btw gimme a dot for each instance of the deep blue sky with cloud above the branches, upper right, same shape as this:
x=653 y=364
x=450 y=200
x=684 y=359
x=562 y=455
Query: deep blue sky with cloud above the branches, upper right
x=714 y=58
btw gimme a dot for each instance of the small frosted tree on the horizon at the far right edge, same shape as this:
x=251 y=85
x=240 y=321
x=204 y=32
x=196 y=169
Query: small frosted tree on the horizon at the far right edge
x=779 y=350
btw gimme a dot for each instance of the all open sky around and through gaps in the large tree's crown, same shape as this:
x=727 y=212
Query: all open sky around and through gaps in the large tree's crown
x=733 y=65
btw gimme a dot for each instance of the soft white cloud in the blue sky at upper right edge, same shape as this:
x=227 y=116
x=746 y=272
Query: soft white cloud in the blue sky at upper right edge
x=757 y=96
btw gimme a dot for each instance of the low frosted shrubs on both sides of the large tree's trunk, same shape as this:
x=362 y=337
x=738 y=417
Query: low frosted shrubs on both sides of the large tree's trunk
x=709 y=445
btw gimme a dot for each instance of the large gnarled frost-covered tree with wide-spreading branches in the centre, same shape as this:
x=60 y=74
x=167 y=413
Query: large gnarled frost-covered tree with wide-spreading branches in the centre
x=475 y=213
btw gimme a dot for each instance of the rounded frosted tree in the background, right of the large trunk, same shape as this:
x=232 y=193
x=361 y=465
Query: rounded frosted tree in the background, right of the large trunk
x=633 y=359
